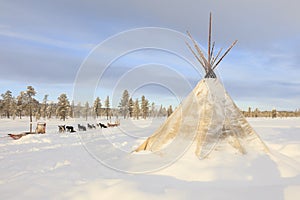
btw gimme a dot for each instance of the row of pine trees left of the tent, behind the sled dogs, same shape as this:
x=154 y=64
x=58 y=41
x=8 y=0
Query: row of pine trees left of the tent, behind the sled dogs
x=26 y=105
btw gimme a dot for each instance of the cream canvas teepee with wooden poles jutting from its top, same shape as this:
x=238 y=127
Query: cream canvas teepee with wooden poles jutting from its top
x=208 y=117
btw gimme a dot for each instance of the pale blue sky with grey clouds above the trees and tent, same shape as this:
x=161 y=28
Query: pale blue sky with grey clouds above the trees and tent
x=46 y=43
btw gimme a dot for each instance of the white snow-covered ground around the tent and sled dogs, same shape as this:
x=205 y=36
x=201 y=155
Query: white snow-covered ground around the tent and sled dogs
x=99 y=164
